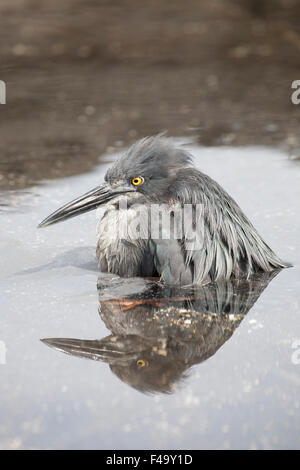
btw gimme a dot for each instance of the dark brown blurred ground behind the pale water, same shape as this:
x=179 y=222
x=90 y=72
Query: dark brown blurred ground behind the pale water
x=85 y=77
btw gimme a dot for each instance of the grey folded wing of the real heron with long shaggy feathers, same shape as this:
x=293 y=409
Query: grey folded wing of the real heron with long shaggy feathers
x=220 y=241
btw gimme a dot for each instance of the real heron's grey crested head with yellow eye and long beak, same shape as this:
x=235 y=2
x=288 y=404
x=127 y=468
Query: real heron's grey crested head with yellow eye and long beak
x=147 y=169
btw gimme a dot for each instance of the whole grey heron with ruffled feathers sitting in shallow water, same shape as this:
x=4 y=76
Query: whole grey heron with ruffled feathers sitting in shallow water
x=155 y=180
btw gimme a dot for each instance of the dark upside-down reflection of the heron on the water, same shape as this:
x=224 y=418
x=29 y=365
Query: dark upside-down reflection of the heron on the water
x=159 y=332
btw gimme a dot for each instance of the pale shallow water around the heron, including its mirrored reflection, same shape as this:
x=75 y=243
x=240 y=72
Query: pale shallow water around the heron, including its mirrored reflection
x=228 y=356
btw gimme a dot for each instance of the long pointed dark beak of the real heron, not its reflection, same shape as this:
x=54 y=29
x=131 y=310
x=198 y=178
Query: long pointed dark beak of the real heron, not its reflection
x=89 y=201
